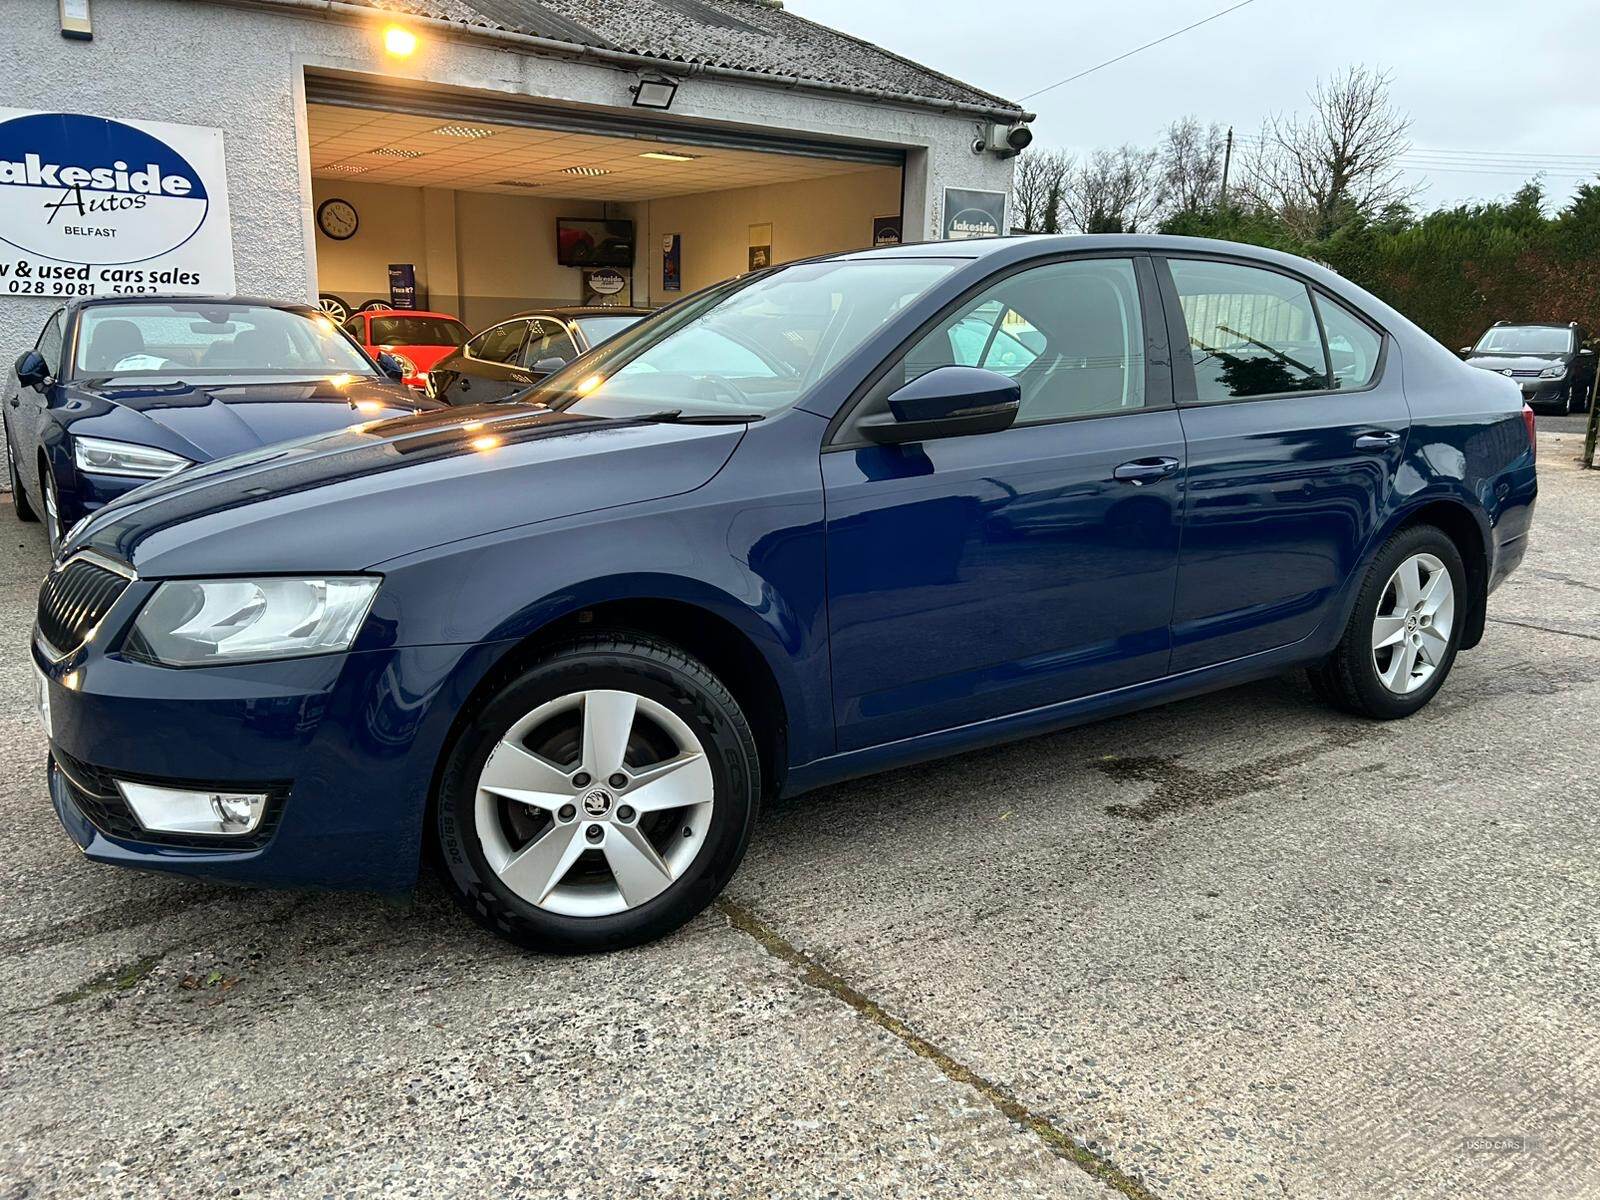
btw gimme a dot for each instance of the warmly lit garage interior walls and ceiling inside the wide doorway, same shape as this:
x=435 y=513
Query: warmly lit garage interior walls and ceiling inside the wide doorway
x=473 y=204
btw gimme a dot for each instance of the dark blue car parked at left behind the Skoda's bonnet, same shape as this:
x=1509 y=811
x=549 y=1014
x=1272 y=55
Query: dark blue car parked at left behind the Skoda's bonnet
x=124 y=390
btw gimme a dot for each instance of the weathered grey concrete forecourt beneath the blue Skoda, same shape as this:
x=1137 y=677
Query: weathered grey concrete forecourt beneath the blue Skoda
x=1231 y=948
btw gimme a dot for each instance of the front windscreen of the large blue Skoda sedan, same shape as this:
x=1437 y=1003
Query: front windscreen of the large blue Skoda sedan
x=753 y=346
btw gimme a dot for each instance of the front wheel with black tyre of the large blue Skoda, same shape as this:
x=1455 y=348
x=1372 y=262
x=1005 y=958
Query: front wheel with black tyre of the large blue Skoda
x=601 y=798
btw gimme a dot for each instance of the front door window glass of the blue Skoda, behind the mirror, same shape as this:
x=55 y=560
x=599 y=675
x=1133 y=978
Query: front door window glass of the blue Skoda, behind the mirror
x=1070 y=334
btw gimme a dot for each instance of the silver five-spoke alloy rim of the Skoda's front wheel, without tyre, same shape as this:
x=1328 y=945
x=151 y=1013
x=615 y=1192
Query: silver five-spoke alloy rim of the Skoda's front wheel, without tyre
x=594 y=804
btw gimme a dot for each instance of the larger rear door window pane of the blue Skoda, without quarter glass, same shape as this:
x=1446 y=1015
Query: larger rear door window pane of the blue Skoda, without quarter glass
x=1252 y=332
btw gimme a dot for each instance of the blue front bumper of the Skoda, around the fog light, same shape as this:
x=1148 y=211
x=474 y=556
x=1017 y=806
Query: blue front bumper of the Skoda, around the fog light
x=348 y=743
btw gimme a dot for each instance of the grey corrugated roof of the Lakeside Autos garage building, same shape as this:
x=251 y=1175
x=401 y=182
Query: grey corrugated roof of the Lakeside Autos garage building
x=756 y=36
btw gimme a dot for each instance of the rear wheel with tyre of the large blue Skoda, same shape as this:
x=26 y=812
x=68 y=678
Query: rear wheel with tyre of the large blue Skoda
x=1404 y=633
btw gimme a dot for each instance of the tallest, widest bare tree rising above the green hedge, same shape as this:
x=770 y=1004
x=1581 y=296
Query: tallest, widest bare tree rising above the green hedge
x=1340 y=161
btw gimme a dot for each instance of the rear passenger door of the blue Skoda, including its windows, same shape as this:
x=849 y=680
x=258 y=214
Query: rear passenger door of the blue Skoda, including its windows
x=1295 y=425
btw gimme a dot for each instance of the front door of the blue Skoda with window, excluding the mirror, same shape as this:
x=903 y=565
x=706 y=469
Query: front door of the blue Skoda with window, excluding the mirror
x=978 y=577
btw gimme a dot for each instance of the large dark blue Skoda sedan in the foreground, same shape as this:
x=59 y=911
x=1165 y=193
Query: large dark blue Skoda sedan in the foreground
x=822 y=521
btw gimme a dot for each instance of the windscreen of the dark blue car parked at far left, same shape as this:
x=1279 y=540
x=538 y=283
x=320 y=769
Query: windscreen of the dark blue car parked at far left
x=212 y=337
